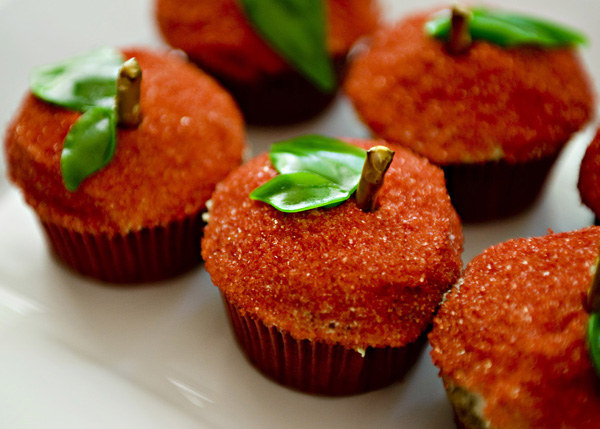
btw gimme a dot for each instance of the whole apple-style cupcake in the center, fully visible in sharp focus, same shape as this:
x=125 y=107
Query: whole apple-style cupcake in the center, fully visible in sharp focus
x=333 y=300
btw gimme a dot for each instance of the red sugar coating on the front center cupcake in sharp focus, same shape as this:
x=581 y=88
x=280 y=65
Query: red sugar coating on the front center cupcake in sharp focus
x=338 y=275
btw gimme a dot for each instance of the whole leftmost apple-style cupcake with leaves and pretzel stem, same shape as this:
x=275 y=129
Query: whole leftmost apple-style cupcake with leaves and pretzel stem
x=137 y=218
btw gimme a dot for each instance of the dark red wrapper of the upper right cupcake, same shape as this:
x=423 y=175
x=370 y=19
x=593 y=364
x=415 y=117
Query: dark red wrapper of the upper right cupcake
x=493 y=190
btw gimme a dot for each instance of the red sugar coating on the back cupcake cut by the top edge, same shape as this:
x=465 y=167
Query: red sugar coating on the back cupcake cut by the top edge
x=217 y=34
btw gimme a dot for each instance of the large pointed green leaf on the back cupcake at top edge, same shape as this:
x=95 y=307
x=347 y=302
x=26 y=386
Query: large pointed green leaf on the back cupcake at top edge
x=296 y=29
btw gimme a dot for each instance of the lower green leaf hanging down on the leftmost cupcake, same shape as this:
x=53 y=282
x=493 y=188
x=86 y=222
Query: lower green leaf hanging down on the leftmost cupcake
x=89 y=145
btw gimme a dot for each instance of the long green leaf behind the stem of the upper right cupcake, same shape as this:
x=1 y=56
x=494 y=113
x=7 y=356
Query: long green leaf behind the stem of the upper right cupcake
x=508 y=29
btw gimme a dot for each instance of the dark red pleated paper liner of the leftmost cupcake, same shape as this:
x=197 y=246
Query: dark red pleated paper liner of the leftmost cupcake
x=147 y=255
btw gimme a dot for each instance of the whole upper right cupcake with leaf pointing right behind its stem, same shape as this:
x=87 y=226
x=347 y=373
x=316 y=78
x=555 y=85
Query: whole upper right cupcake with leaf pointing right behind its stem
x=494 y=114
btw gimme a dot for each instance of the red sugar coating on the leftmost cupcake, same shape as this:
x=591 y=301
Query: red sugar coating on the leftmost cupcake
x=190 y=137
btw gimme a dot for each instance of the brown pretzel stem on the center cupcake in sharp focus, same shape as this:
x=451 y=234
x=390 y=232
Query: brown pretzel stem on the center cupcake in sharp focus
x=376 y=164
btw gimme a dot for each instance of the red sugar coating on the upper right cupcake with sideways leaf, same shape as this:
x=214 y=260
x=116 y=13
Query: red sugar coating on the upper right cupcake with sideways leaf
x=489 y=103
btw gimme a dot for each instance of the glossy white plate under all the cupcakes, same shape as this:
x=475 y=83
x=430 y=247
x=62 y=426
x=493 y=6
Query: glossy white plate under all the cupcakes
x=77 y=354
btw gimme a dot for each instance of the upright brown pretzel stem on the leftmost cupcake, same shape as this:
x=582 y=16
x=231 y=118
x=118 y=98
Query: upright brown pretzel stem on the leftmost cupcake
x=128 y=94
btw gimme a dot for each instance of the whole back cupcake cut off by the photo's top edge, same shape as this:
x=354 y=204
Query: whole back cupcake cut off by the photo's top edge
x=268 y=75
